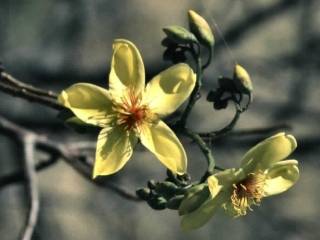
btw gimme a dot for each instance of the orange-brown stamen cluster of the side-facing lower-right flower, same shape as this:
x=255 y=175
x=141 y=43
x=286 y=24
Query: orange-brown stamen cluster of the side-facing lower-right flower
x=247 y=192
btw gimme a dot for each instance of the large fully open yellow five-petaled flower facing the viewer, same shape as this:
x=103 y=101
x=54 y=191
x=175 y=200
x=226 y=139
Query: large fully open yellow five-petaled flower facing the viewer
x=128 y=111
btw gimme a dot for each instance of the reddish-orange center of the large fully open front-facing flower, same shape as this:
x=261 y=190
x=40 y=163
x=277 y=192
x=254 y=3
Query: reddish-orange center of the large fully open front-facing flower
x=131 y=113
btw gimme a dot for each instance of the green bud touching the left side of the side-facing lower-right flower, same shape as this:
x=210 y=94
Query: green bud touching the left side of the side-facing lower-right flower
x=194 y=198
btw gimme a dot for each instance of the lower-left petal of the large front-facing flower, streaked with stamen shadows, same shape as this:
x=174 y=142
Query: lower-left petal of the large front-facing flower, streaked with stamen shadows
x=114 y=148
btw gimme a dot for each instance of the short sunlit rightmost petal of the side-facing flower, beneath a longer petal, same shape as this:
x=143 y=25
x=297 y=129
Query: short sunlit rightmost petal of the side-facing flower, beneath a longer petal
x=281 y=176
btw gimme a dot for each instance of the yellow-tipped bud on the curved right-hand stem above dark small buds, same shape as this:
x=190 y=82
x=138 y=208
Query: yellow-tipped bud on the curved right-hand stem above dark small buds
x=242 y=79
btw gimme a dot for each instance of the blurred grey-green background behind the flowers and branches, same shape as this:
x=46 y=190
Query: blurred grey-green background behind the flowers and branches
x=55 y=43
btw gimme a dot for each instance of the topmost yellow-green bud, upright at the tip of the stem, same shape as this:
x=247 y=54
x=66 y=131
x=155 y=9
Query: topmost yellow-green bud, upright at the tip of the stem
x=200 y=27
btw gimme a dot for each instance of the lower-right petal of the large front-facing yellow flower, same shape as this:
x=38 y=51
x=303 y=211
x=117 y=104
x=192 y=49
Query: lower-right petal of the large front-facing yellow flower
x=165 y=145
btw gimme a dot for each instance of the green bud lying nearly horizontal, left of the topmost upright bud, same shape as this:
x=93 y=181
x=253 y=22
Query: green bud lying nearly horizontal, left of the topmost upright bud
x=179 y=34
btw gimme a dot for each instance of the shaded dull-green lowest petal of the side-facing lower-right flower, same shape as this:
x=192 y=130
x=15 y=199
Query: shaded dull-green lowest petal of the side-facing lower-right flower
x=203 y=214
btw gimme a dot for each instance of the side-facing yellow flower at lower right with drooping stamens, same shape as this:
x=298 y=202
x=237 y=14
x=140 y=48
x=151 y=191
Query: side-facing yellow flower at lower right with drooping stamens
x=262 y=173
